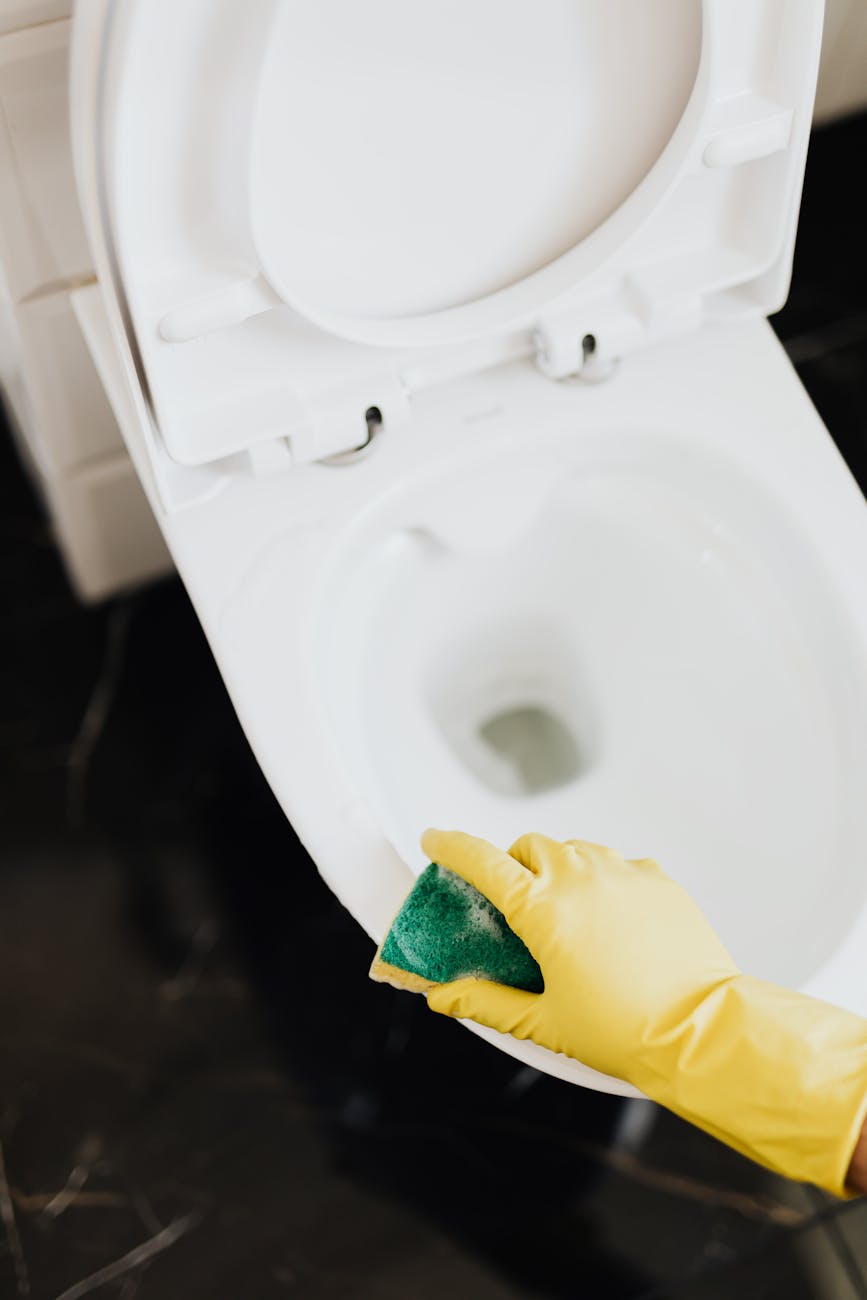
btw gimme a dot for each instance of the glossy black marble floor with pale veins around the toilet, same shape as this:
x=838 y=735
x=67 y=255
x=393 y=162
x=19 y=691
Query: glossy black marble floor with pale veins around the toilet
x=201 y=1093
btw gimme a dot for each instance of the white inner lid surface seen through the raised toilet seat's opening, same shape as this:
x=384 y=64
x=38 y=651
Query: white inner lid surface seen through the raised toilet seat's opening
x=450 y=151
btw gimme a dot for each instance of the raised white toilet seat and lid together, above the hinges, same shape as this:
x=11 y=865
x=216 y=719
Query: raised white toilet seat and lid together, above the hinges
x=315 y=210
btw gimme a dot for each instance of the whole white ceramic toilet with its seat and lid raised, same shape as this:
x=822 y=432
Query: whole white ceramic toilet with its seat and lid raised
x=437 y=336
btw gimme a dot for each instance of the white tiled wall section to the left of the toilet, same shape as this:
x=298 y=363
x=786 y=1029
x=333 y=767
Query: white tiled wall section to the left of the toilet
x=67 y=428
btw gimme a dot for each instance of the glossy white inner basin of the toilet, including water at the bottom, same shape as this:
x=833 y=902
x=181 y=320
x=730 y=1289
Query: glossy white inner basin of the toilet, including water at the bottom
x=657 y=662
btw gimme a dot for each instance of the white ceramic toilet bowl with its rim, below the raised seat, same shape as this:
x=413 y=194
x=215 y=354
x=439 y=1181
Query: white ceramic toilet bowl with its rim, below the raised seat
x=688 y=613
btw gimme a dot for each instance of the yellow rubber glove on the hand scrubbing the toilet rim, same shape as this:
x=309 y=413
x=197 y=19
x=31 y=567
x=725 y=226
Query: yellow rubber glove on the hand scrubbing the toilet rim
x=639 y=986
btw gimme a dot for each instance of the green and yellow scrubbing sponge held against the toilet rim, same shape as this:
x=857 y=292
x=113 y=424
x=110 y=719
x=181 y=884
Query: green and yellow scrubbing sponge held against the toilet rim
x=446 y=930
